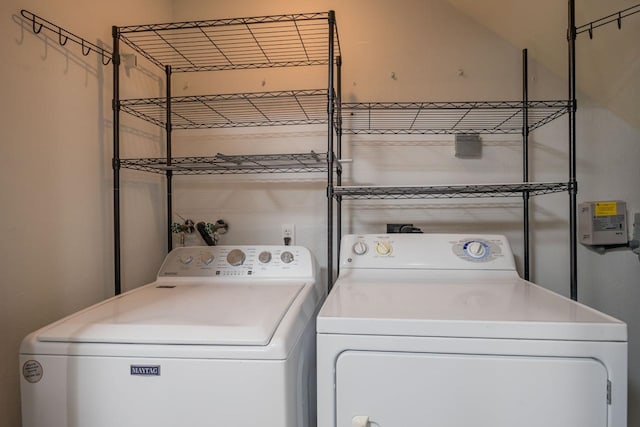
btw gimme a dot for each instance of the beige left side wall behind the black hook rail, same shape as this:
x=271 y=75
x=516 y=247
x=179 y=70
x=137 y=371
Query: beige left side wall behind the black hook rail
x=56 y=240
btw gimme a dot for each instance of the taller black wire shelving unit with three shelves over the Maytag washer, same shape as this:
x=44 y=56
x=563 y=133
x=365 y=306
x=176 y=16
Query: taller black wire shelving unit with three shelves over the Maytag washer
x=277 y=41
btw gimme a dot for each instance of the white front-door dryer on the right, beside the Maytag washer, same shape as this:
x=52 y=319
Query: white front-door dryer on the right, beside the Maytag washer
x=439 y=330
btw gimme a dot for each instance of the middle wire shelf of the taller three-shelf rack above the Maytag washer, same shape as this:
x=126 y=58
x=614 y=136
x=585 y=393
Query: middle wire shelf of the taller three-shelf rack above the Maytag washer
x=234 y=110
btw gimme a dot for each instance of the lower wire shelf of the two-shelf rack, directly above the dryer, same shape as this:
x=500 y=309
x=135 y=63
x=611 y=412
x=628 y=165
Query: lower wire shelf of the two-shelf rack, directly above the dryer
x=449 y=191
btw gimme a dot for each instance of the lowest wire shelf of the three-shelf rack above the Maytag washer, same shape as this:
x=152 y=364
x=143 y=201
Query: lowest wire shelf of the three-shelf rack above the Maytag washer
x=221 y=164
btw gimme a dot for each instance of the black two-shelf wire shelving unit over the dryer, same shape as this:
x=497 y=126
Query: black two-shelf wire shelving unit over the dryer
x=467 y=117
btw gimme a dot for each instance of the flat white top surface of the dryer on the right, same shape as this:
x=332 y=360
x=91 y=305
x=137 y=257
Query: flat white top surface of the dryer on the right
x=500 y=308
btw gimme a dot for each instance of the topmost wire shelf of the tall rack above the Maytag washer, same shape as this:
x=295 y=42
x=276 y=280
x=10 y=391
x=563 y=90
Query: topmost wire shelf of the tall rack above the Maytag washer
x=238 y=43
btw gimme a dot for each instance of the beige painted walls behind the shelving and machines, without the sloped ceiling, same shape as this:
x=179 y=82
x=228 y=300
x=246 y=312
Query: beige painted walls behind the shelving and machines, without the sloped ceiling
x=55 y=244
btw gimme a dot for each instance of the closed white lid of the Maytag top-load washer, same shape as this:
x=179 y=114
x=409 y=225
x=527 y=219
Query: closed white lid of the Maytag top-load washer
x=239 y=313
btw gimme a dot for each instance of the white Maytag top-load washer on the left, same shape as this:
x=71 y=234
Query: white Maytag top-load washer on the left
x=224 y=337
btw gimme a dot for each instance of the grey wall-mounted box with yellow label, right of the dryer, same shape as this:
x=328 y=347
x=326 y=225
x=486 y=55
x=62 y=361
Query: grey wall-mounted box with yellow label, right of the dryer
x=603 y=223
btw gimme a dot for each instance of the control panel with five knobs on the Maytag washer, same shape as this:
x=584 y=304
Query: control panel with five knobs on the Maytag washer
x=240 y=261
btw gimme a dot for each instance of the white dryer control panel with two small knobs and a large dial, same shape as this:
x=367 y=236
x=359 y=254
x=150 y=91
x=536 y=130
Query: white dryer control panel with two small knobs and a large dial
x=426 y=251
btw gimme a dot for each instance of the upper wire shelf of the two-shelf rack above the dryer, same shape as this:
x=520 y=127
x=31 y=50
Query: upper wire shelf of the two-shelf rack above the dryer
x=437 y=118
